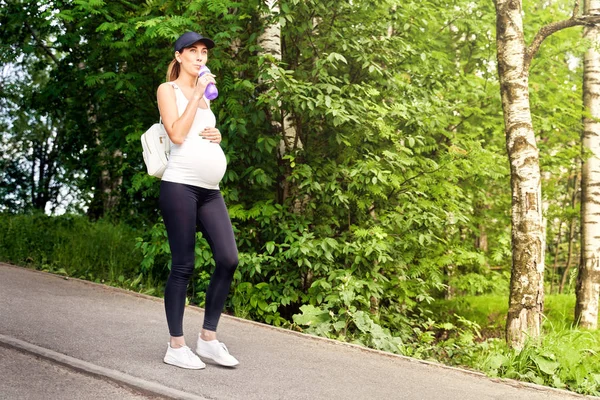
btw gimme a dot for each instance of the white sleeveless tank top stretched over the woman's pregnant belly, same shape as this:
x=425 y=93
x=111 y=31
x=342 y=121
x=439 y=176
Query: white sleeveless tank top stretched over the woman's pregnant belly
x=196 y=161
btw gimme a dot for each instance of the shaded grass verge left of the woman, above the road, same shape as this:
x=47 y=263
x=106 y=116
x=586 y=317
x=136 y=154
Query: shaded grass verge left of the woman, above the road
x=73 y=246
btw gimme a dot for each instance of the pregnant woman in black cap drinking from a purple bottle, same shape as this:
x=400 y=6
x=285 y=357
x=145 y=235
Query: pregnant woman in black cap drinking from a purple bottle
x=190 y=201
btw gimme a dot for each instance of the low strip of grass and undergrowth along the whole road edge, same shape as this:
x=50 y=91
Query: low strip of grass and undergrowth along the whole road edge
x=465 y=331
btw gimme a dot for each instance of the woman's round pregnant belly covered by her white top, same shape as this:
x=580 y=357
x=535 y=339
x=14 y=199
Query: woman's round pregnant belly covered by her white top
x=200 y=163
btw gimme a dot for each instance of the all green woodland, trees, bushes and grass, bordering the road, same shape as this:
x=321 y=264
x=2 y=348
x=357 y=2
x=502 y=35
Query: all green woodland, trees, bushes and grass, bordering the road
x=377 y=167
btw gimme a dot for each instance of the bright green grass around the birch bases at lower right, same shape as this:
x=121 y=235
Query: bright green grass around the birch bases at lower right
x=565 y=357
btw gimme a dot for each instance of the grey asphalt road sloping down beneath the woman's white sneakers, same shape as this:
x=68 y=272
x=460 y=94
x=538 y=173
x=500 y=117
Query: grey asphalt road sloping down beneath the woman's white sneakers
x=121 y=337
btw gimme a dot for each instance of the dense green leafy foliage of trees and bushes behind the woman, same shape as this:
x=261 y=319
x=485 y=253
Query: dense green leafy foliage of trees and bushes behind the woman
x=399 y=196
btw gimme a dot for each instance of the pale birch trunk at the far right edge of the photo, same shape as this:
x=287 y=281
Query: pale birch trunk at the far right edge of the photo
x=588 y=285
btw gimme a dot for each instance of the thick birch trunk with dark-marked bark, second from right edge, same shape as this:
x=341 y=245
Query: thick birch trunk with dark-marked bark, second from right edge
x=528 y=243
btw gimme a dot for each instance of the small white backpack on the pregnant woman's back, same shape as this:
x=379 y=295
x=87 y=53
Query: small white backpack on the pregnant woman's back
x=156 y=147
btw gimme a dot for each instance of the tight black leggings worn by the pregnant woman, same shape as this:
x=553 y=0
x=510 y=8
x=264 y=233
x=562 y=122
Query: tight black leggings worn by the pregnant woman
x=185 y=210
